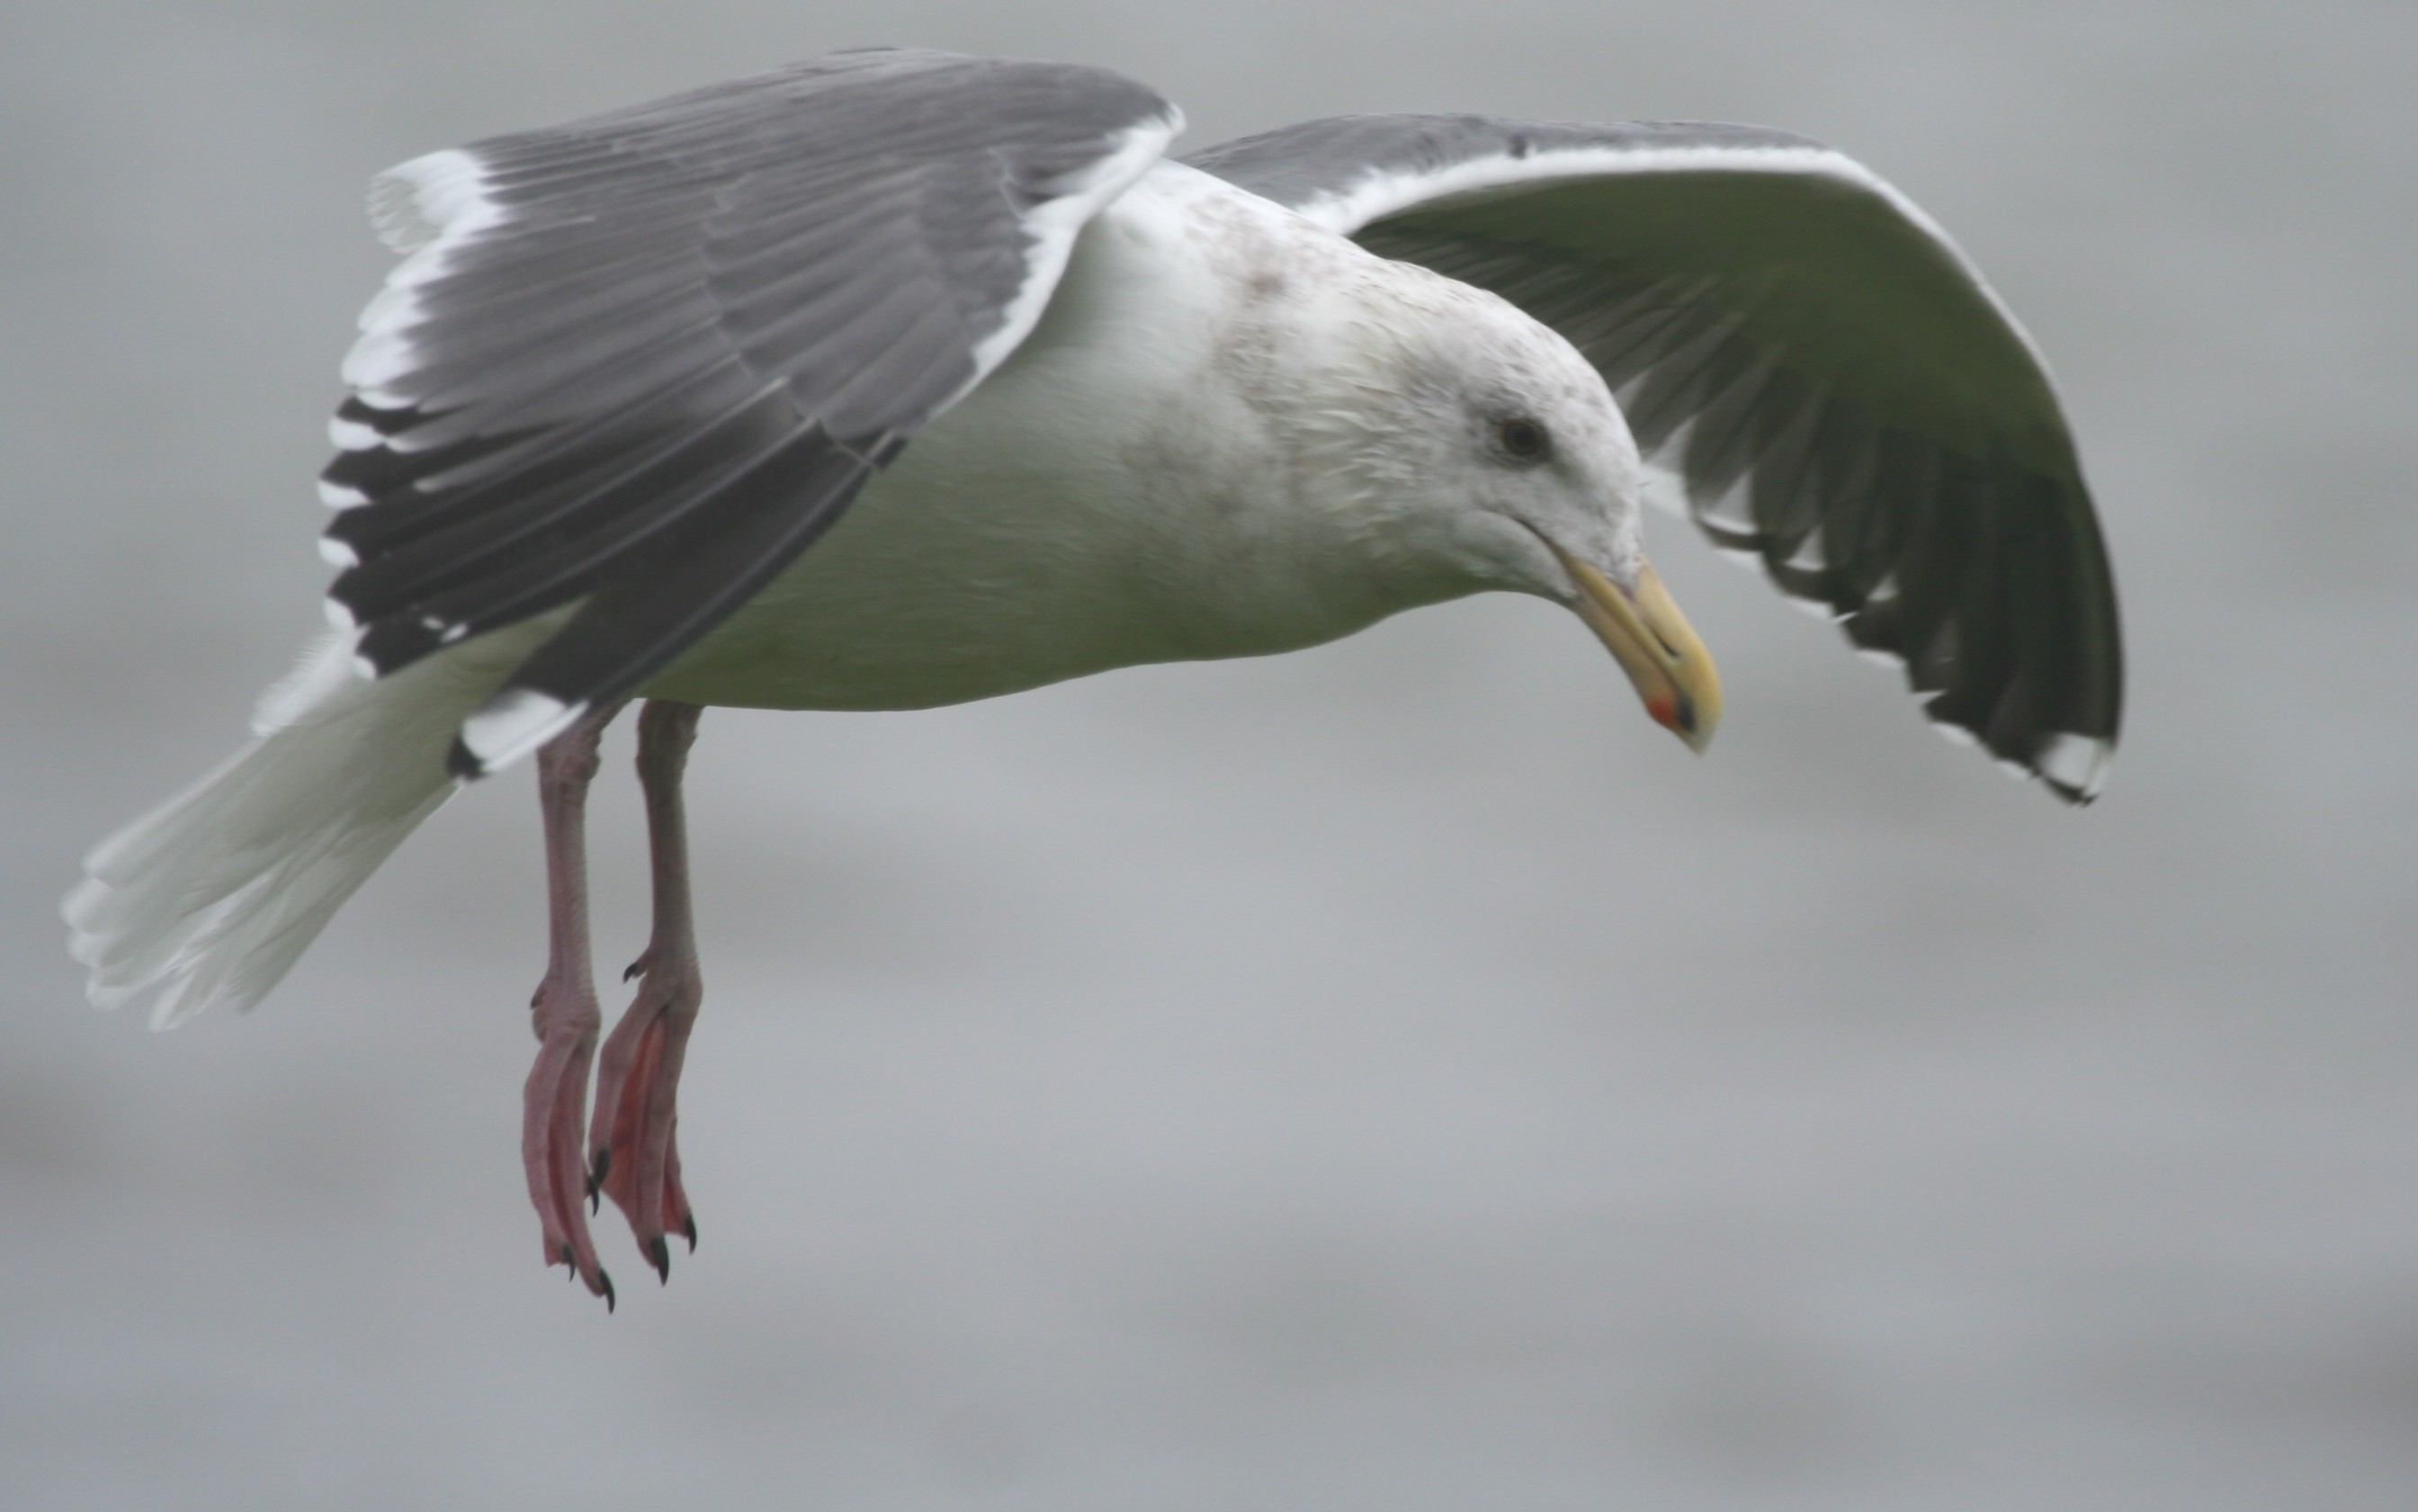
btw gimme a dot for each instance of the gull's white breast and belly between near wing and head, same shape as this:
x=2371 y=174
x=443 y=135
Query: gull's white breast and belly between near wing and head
x=1109 y=497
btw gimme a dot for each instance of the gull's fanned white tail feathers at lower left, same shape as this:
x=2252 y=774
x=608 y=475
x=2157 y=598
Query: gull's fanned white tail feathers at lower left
x=219 y=891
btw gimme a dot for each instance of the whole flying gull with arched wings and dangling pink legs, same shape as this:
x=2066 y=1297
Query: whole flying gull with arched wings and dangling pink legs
x=1048 y=403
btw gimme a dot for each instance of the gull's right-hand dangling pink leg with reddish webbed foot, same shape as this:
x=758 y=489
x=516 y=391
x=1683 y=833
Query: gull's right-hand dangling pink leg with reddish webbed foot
x=632 y=1153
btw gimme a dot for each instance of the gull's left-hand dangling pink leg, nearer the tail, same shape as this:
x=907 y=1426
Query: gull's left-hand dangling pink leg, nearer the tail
x=565 y=1010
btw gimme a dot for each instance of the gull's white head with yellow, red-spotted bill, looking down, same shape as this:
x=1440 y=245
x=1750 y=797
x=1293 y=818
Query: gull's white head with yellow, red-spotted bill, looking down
x=1483 y=449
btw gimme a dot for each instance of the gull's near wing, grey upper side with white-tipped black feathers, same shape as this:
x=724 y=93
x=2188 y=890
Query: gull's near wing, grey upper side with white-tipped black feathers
x=642 y=362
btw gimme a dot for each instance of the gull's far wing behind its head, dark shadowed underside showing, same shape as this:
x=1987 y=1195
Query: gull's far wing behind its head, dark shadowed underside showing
x=1834 y=383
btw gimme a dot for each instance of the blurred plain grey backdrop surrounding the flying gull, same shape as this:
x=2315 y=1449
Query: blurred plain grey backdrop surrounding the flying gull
x=1382 y=1078
